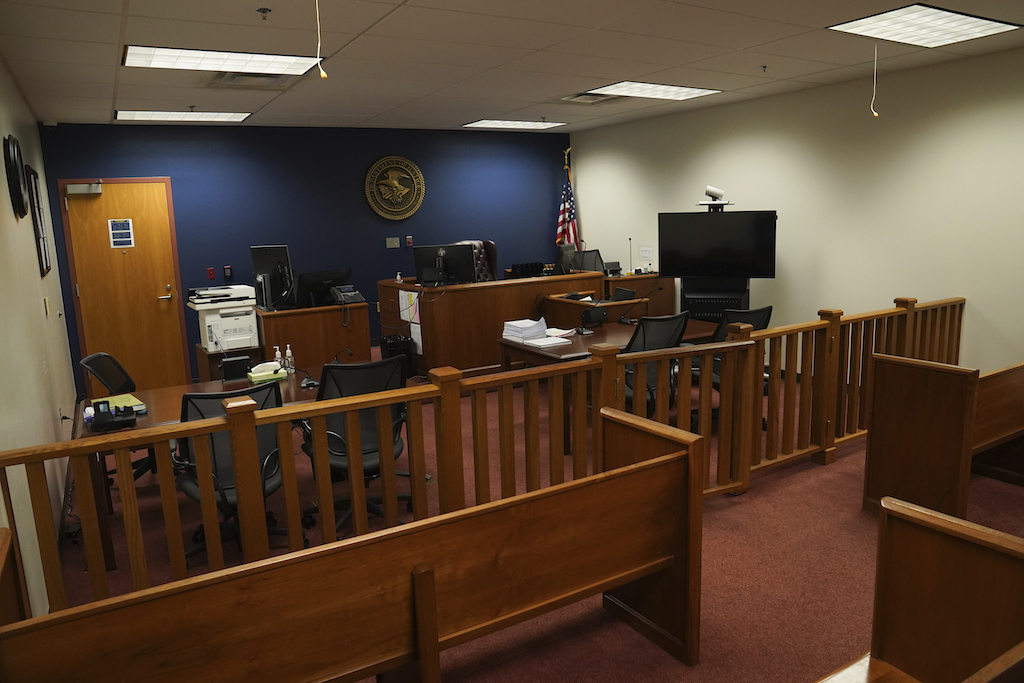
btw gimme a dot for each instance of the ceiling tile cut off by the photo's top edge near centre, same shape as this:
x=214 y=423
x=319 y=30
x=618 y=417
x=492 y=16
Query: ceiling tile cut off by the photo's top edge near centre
x=592 y=14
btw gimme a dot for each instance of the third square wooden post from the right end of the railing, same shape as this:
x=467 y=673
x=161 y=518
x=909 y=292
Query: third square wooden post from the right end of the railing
x=747 y=413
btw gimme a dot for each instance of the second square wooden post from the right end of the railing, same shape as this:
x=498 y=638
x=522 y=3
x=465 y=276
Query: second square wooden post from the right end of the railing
x=826 y=383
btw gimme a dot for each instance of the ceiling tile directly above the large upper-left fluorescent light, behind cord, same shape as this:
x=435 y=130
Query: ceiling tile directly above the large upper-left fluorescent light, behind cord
x=201 y=36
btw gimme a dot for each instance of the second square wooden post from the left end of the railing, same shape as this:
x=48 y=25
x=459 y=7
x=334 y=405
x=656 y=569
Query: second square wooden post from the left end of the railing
x=448 y=435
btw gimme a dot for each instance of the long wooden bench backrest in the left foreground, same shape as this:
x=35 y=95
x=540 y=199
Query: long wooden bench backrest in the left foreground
x=347 y=610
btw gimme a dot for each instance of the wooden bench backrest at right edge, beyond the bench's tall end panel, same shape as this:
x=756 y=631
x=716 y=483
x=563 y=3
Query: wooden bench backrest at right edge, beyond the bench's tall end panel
x=1000 y=414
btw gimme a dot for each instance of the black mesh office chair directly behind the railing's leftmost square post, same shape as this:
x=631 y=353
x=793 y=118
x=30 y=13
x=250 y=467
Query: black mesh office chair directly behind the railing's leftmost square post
x=202 y=406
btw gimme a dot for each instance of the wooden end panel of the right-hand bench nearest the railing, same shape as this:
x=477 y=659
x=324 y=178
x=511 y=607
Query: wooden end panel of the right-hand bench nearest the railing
x=920 y=418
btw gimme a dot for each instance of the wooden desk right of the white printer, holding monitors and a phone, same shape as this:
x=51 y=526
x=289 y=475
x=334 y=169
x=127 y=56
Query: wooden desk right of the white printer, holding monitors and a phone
x=317 y=334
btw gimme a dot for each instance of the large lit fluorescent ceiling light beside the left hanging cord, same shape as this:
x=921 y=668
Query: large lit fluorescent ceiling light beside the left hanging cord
x=243 y=63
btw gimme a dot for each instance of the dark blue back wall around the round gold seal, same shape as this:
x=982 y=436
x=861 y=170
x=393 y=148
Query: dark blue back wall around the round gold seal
x=234 y=188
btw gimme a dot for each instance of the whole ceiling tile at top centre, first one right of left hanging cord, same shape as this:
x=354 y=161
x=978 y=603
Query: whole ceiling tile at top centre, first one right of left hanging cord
x=464 y=28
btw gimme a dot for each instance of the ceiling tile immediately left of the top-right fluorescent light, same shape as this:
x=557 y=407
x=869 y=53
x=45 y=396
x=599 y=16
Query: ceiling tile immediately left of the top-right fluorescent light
x=707 y=27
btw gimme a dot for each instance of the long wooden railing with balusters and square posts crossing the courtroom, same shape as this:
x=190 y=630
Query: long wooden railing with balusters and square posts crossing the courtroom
x=782 y=392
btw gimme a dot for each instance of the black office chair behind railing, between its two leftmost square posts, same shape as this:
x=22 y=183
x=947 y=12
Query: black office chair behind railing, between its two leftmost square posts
x=340 y=380
